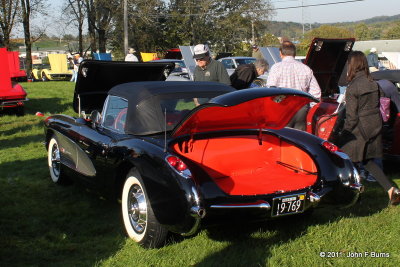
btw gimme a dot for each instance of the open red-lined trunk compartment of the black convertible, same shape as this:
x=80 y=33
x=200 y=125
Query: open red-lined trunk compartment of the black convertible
x=248 y=165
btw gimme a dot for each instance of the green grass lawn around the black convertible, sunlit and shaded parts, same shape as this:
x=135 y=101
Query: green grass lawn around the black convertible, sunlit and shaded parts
x=42 y=224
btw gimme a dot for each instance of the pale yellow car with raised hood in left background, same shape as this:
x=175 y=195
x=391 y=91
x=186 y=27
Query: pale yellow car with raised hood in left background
x=57 y=70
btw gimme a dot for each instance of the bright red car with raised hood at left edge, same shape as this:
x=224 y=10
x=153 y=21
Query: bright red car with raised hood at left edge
x=12 y=95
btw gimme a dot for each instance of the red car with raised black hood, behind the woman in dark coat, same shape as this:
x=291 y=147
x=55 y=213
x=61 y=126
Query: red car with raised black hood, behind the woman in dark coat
x=327 y=59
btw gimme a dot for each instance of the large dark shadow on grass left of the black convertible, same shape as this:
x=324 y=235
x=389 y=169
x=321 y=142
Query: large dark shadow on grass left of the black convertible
x=43 y=224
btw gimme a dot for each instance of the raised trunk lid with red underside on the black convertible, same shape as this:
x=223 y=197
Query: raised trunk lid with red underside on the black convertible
x=258 y=108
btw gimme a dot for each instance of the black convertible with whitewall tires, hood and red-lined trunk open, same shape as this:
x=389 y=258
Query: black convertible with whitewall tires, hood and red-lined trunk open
x=176 y=153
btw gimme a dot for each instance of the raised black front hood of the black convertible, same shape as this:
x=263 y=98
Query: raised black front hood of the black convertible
x=97 y=77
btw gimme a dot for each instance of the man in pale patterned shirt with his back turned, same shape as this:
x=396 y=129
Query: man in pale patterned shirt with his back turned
x=290 y=73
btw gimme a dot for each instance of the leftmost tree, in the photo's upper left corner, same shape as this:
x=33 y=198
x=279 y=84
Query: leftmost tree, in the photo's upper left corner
x=8 y=12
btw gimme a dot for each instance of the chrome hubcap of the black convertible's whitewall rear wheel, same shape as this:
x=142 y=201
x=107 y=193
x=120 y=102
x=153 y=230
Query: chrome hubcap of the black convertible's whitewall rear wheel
x=137 y=208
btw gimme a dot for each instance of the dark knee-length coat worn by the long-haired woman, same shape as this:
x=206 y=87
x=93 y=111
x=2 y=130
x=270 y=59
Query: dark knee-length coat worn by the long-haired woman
x=363 y=119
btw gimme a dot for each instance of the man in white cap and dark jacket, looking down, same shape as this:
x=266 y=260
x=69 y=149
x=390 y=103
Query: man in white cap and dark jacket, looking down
x=208 y=69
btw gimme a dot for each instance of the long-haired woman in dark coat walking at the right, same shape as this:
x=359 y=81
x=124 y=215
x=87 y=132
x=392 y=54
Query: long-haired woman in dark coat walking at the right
x=363 y=124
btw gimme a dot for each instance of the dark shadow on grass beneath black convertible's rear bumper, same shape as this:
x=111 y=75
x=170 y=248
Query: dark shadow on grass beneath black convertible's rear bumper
x=249 y=248
